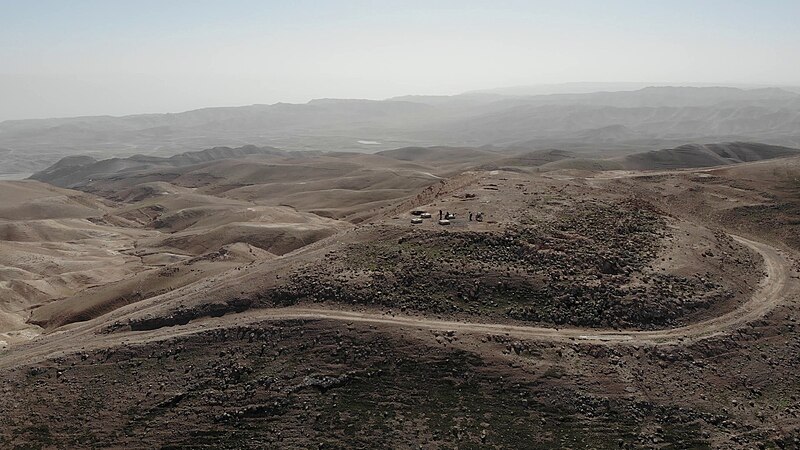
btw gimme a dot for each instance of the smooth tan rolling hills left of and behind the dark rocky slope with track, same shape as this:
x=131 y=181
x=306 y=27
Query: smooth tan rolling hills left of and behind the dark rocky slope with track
x=143 y=226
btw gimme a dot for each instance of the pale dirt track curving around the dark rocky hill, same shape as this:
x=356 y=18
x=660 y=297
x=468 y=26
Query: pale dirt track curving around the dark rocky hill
x=776 y=286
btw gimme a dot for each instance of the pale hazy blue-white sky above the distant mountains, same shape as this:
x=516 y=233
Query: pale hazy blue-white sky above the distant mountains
x=75 y=57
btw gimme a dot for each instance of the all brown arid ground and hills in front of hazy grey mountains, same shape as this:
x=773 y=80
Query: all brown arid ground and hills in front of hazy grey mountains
x=256 y=297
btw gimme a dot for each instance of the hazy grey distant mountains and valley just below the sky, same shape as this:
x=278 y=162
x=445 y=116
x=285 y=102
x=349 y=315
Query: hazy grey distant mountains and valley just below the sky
x=650 y=118
